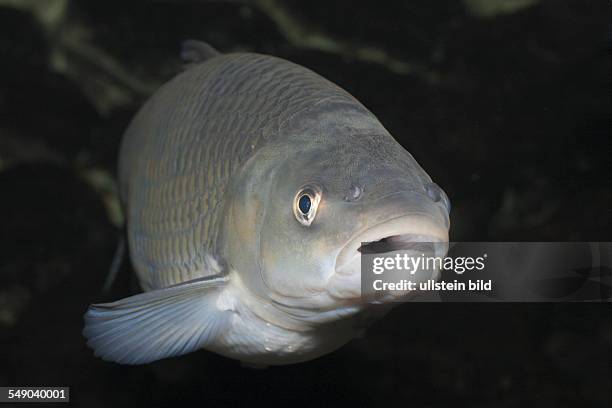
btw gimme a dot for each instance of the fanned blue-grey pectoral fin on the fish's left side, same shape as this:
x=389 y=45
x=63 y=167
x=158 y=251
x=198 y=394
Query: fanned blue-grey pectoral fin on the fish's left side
x=157 y=324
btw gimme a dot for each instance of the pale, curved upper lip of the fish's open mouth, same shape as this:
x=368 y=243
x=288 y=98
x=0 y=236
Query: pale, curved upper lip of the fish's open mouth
x=414 y=227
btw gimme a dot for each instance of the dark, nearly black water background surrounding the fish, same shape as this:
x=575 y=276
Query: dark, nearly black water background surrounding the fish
x=509 y=109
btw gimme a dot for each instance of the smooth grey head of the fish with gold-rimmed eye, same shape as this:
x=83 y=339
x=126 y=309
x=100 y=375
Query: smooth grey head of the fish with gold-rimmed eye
x=320 y=205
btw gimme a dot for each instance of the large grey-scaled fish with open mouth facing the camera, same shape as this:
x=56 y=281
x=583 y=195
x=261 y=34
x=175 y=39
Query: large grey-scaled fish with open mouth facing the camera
x=250 y=185
